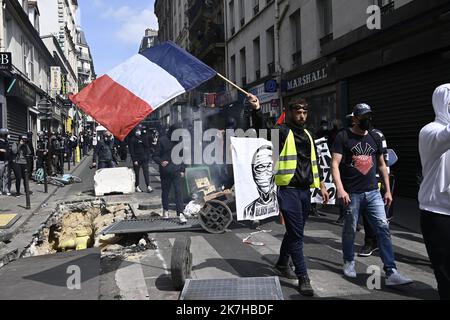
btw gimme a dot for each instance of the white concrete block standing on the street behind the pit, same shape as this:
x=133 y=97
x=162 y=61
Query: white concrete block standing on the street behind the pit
x=115 y=180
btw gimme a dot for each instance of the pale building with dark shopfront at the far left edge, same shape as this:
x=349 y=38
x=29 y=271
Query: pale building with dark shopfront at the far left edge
x=27 y=81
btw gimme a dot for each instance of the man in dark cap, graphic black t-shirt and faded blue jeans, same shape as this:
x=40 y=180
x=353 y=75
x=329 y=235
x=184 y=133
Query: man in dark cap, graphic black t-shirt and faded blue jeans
x=356 y=156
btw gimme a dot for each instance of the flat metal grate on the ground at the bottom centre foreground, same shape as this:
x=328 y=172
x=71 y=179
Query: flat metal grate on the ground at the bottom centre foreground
x=267 y=288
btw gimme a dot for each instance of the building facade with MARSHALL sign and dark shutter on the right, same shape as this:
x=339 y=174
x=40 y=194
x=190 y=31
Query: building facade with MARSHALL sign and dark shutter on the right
x=327 y=52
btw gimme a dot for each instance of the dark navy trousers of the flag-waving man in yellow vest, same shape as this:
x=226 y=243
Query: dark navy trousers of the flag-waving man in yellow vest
x=295 y=205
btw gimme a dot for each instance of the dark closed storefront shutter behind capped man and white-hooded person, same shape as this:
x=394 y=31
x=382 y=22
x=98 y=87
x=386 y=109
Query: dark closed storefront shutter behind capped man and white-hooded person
x=401 y=97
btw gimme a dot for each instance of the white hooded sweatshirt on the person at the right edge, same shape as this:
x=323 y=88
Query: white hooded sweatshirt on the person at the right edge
x=434 y=148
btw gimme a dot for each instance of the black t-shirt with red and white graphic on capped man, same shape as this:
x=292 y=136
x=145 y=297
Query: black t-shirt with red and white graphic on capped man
x=358 y=167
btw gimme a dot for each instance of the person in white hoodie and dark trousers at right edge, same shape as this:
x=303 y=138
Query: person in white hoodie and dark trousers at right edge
x=434 y=194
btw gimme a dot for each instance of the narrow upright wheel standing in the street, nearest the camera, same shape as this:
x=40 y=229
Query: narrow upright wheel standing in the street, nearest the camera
x=181 y=262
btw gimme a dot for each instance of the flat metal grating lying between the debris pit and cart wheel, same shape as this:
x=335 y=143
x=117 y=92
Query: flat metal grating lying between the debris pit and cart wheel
x=152 y=225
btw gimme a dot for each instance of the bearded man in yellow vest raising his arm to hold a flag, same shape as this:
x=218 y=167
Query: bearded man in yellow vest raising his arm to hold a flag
x=297 y=171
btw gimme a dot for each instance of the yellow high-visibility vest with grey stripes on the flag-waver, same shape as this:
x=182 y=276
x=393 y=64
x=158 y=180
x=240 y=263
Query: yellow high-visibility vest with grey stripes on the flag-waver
x=287 y=164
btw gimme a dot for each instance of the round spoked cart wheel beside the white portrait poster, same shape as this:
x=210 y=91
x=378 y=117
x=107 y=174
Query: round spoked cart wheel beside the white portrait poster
x=215 y=217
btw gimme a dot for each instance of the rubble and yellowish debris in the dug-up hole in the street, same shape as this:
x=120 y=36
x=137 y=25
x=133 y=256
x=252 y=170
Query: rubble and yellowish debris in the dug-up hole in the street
x=78 y=226
